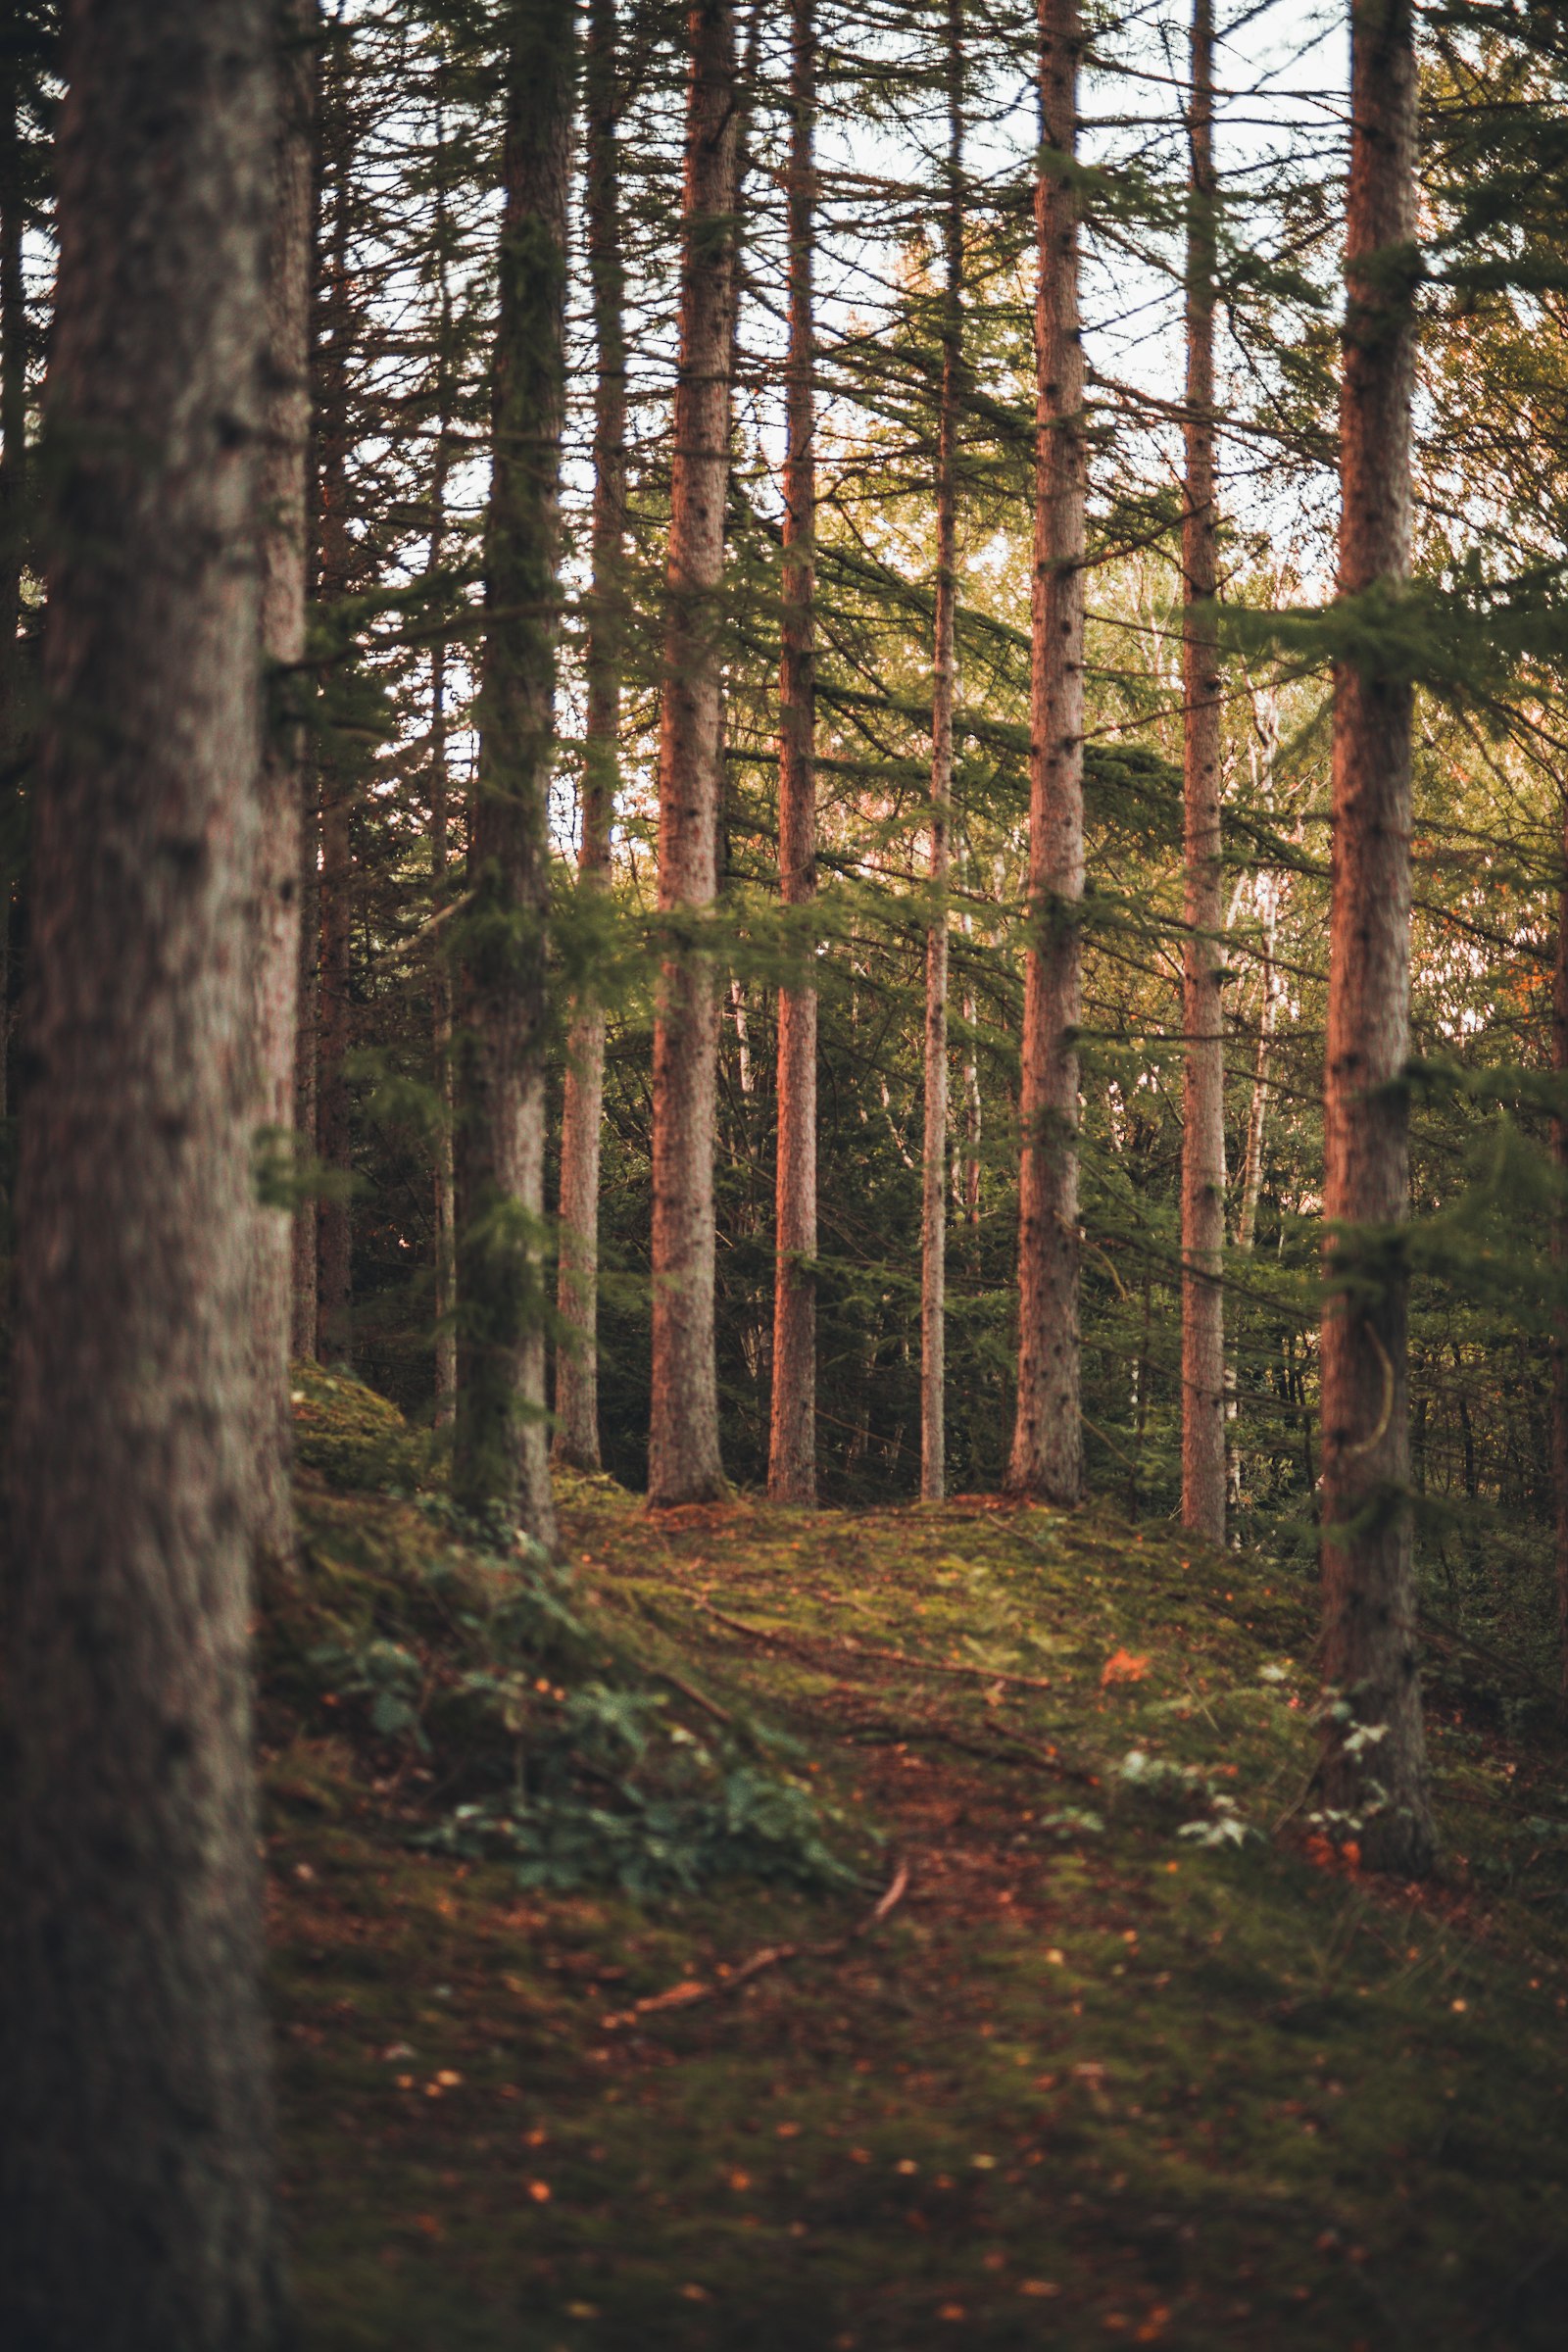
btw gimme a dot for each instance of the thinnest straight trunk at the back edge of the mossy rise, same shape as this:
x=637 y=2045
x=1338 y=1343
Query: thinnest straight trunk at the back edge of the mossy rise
x=944 y=690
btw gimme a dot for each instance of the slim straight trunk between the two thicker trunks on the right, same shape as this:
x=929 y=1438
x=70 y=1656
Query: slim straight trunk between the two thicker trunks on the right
x=1202 y=947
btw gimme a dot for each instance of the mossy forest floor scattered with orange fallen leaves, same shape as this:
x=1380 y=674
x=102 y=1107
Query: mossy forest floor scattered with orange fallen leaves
x=1090 y=2080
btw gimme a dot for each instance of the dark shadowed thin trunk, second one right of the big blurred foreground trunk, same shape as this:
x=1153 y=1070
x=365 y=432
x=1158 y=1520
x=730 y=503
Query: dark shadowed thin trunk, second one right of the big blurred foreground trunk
x=333 y=773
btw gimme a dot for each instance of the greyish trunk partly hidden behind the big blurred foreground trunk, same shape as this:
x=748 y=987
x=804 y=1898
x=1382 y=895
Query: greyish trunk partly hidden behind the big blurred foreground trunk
x=283 y=754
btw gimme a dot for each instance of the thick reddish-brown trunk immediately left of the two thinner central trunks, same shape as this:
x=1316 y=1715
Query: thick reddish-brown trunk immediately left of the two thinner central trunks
x=685 y=1422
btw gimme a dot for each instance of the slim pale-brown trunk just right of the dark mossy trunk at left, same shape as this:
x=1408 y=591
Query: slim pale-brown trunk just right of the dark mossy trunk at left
x=577 y=1368
